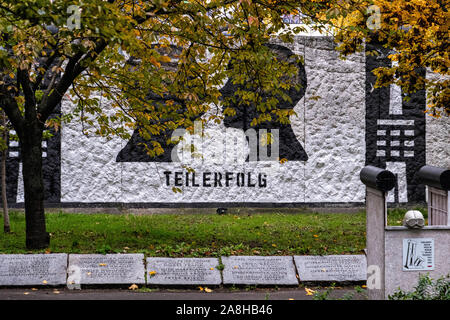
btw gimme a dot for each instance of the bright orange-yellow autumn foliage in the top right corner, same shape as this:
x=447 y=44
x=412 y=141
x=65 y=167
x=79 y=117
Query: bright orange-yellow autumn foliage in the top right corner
x=416 y=32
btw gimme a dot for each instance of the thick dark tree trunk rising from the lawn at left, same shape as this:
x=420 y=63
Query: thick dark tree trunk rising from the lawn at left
x=31 y=149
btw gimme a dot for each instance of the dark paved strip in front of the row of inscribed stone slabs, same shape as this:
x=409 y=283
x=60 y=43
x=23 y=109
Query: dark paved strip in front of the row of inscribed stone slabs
x=171 y=294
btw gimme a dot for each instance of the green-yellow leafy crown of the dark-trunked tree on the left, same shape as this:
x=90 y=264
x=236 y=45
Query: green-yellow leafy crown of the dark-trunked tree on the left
x=179 y=51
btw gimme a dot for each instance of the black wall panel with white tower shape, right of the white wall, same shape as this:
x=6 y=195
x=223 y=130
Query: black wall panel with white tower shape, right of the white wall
x=395 y=129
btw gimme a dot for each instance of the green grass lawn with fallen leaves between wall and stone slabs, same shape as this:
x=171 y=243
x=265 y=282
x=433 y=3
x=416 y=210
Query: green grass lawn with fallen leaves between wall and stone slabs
x=197 y=235
